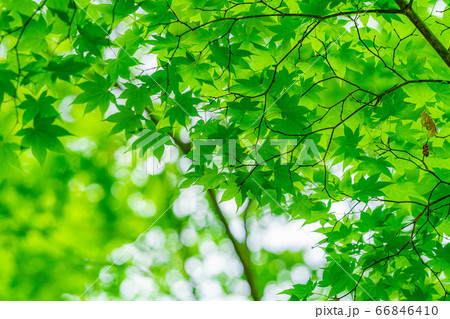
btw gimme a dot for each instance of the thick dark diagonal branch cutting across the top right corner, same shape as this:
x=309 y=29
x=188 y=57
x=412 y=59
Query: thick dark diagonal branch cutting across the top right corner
x=426 y=32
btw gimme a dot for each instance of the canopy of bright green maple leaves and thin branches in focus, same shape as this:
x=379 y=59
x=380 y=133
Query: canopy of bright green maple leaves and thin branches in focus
x=366 y=82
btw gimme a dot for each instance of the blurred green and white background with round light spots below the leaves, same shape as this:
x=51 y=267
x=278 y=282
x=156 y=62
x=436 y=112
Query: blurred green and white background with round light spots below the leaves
x=63 y=226
